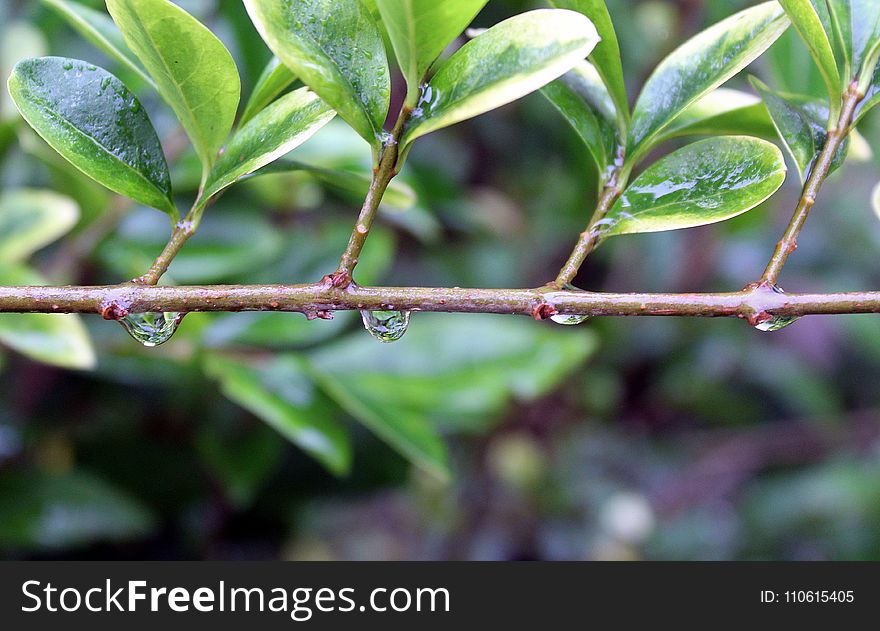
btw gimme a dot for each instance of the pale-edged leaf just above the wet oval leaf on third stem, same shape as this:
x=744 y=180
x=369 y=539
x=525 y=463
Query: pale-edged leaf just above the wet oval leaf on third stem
x=723 y=112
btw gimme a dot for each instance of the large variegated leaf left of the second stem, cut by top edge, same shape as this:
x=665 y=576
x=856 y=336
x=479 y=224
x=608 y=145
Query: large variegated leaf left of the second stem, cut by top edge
x=335 y=48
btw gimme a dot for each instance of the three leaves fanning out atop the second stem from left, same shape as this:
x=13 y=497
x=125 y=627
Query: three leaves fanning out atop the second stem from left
x=337 y=50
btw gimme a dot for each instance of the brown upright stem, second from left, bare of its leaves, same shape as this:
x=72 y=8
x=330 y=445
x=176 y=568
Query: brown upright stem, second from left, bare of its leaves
x=387 y=169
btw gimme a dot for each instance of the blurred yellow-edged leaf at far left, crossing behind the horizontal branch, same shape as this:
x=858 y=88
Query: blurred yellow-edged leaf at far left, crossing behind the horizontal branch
x=59 y=340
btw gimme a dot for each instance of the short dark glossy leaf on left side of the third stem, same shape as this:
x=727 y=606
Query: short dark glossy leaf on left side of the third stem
x=581 y=98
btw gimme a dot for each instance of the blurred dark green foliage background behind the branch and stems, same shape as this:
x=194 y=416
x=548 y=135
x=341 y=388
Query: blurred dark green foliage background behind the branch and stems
x=618 y=439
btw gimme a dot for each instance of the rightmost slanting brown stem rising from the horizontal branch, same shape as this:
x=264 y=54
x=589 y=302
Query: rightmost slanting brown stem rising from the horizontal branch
x=821 y=168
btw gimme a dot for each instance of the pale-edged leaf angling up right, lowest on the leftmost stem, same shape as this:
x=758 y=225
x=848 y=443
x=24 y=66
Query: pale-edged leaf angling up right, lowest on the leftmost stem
x=274 y=132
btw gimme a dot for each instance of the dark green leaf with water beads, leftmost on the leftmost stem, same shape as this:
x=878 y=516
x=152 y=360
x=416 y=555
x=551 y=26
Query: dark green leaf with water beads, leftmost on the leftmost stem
x=89 y=117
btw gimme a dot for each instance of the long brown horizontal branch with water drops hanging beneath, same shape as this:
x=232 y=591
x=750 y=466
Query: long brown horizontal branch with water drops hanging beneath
x=755 y=303
